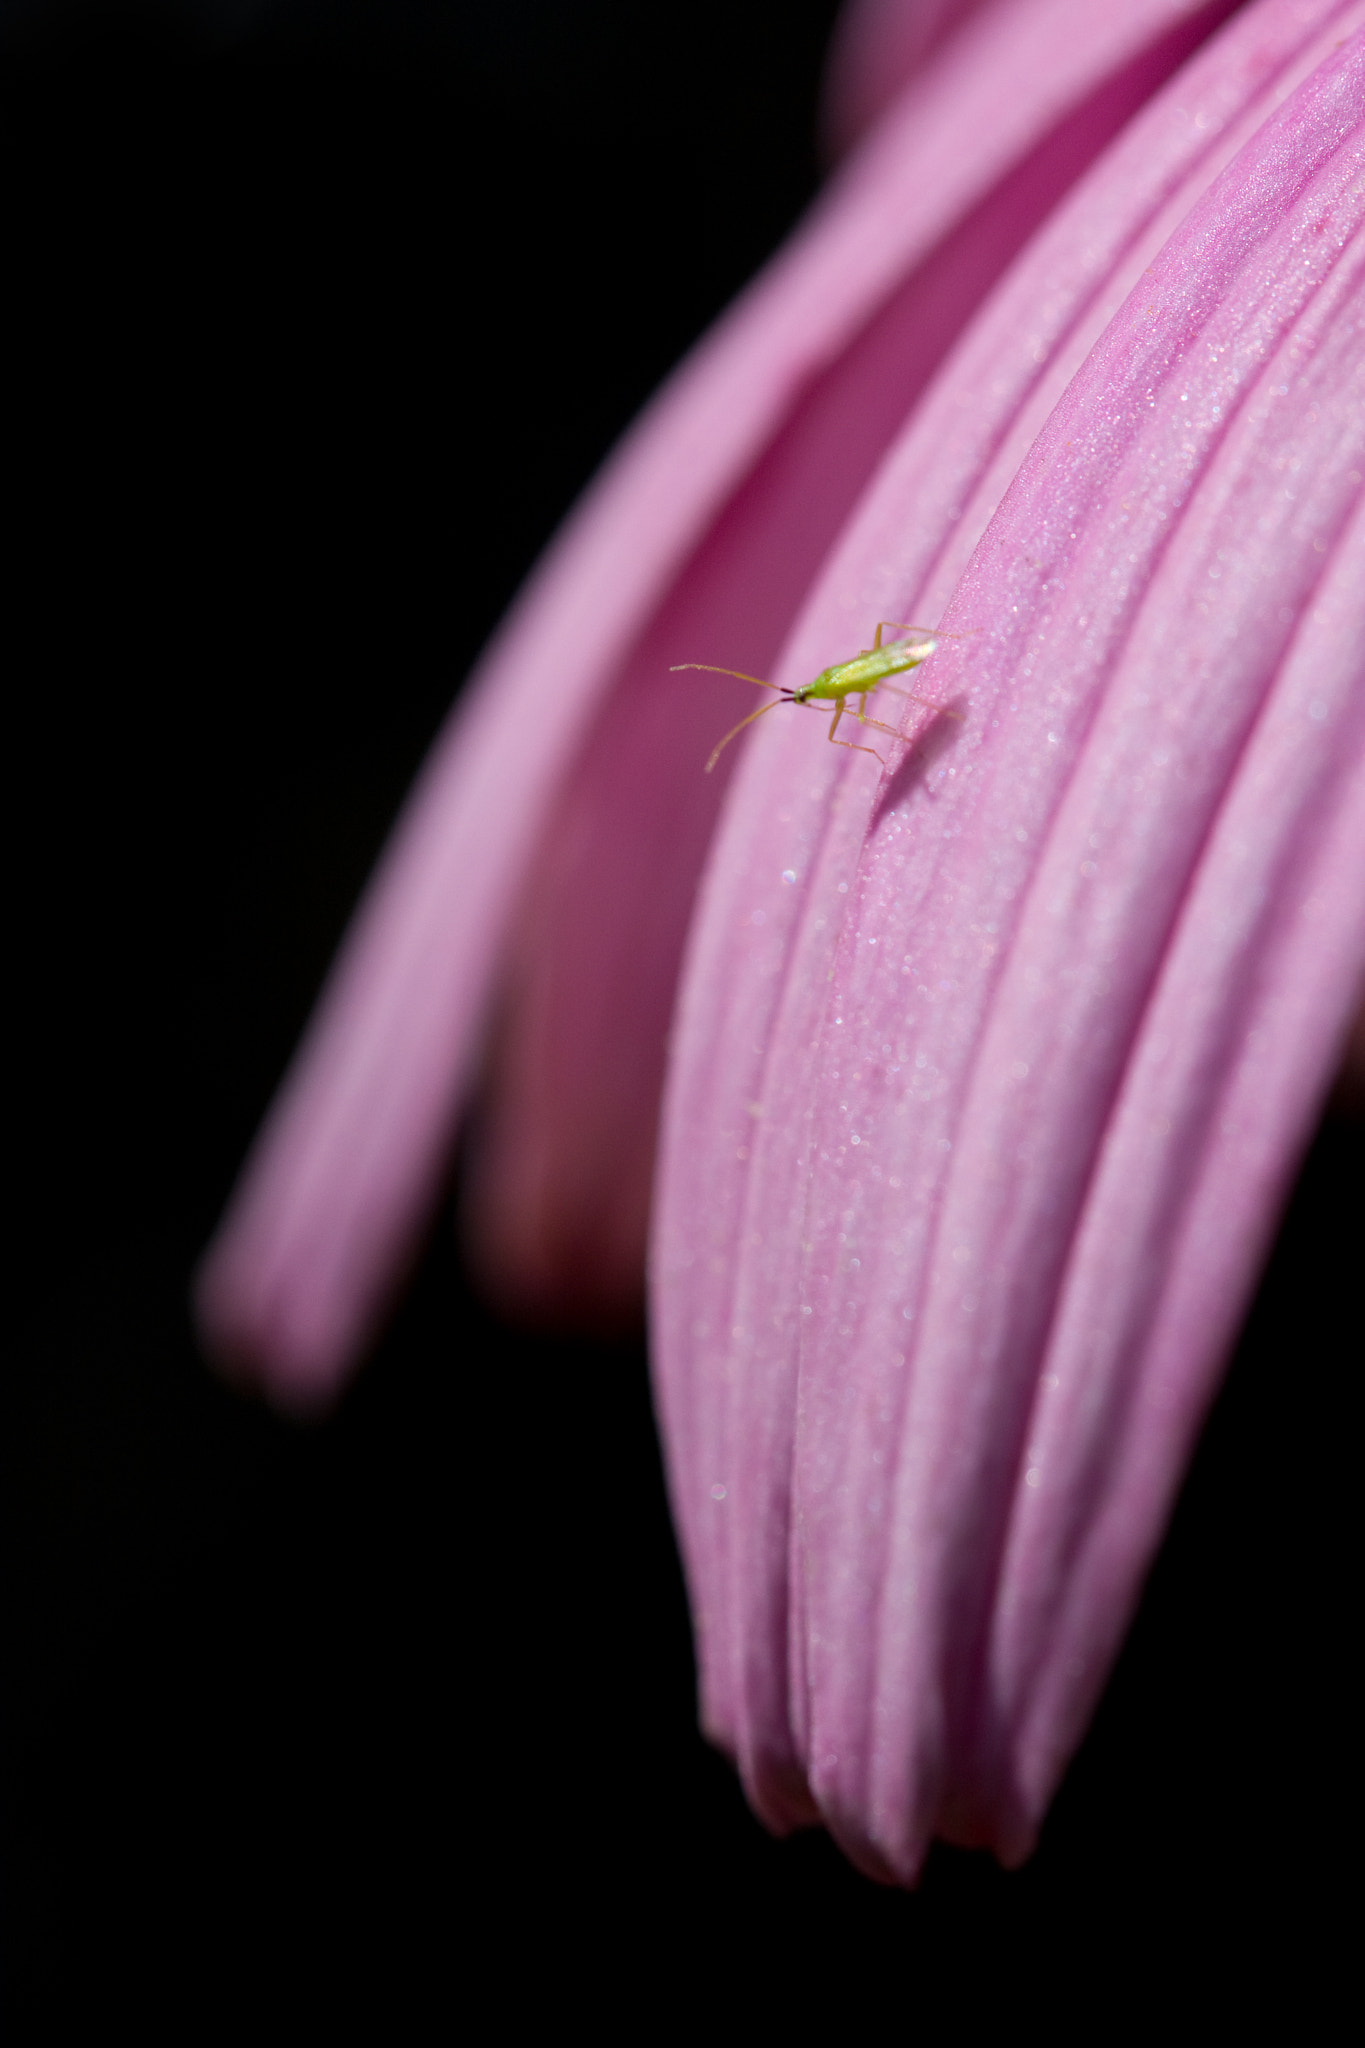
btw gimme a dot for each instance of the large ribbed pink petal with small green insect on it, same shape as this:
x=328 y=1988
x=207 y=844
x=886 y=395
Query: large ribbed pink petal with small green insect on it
x=899 y=1066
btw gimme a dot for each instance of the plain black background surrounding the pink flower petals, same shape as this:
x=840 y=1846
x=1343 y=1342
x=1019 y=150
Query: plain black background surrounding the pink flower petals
x=316 y=321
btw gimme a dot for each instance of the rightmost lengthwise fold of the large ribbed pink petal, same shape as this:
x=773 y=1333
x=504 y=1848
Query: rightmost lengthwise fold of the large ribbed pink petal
x=1219 y=1095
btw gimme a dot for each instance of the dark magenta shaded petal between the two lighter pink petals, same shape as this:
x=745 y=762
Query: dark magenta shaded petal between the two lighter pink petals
x=558 y=1187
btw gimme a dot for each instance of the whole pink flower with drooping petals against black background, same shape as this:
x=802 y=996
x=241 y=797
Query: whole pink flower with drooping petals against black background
x=987 y=1074
